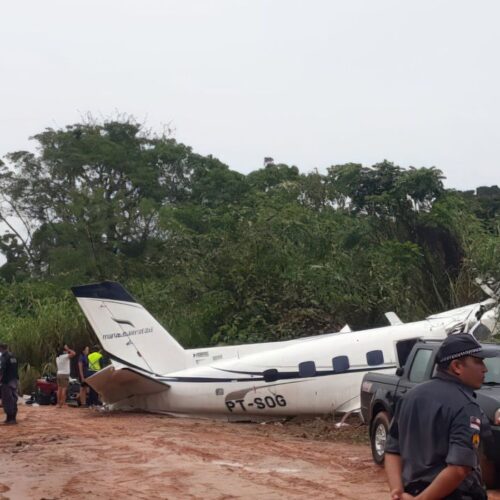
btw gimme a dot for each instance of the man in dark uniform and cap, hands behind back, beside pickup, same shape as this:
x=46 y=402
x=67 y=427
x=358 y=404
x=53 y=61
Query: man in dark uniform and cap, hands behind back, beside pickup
x=433 y=439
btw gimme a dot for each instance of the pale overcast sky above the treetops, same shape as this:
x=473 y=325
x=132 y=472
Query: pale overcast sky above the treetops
x=309 y=83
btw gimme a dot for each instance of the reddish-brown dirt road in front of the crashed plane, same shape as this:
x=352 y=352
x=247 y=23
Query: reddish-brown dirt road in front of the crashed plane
x=79 y=453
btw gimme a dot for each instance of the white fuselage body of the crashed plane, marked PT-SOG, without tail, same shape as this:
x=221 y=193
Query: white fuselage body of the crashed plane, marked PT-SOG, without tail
x=235 y=387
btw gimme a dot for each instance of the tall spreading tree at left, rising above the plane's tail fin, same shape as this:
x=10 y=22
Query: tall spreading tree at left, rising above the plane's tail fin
x=93 y=195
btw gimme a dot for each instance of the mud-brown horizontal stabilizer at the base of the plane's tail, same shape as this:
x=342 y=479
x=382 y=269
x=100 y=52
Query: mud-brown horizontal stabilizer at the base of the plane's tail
x=118 y=384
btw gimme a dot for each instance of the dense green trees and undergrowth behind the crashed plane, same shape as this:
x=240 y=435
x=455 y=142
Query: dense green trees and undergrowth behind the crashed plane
x=219 y=256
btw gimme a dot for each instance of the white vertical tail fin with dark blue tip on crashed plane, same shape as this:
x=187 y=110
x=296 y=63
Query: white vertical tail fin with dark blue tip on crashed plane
x=126 y=331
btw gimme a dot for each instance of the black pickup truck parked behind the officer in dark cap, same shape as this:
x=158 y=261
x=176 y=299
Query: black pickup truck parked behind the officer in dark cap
x=380 y=393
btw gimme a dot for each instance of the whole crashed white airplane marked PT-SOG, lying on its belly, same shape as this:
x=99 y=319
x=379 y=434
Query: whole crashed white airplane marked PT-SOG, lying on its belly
x=308 y=376
